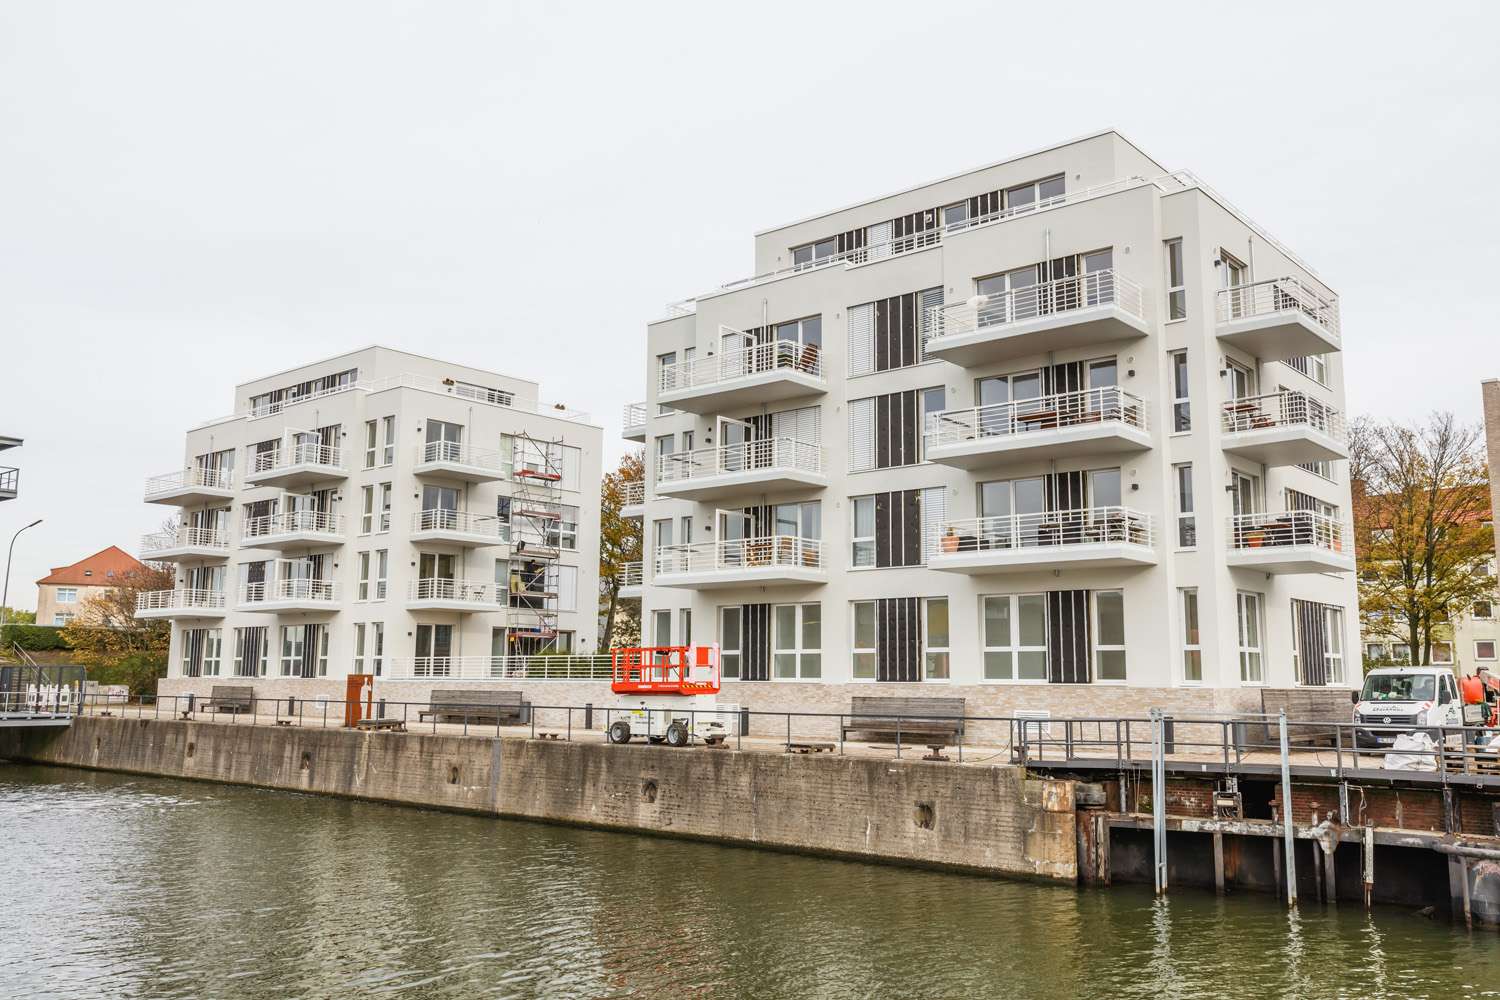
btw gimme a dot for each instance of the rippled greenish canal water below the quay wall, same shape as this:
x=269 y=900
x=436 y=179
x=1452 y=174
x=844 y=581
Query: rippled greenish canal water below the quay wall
x=122 y=887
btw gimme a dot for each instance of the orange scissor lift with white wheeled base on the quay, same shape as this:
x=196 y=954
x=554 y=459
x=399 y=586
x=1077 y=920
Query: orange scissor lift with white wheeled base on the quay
x=667 y=695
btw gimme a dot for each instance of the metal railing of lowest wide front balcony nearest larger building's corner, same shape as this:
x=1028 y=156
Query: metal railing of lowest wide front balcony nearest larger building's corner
x=1084 y=527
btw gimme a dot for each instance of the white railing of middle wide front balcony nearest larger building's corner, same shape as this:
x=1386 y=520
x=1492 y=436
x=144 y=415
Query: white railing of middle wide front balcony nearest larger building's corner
x=1046 y=413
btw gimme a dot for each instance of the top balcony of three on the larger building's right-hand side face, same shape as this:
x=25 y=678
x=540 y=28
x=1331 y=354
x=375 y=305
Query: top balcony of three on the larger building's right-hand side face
x=1277 y=320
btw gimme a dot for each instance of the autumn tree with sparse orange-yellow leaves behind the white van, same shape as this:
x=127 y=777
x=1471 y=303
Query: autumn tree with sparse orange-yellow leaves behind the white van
x=1421 y=527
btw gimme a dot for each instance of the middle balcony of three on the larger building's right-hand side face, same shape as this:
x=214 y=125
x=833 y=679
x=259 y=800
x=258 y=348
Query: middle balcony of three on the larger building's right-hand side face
x=1285 y=430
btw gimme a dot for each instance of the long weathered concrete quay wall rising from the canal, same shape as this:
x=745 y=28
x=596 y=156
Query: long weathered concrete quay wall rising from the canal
x=907 y=812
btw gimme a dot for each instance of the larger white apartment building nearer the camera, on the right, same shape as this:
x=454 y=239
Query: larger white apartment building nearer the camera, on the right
x=1061 y=434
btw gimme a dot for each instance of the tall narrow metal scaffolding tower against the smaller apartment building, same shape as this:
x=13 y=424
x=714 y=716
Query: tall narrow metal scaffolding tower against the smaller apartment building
x=536 y=518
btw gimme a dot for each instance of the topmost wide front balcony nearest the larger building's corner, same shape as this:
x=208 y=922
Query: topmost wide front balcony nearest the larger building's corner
x=1070 y=313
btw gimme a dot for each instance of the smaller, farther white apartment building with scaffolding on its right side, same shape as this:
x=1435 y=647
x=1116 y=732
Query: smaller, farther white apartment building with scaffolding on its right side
x=379 y=513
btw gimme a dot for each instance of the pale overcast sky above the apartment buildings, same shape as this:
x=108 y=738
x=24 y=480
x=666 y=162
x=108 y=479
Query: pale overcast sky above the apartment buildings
x=523 y=187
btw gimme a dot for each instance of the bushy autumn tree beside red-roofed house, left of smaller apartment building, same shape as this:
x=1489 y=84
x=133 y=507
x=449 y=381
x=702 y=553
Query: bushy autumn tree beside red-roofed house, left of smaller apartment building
x=116 y=645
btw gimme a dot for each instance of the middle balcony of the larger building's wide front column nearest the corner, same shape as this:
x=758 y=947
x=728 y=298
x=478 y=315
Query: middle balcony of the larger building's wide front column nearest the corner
x=1093 y=422
